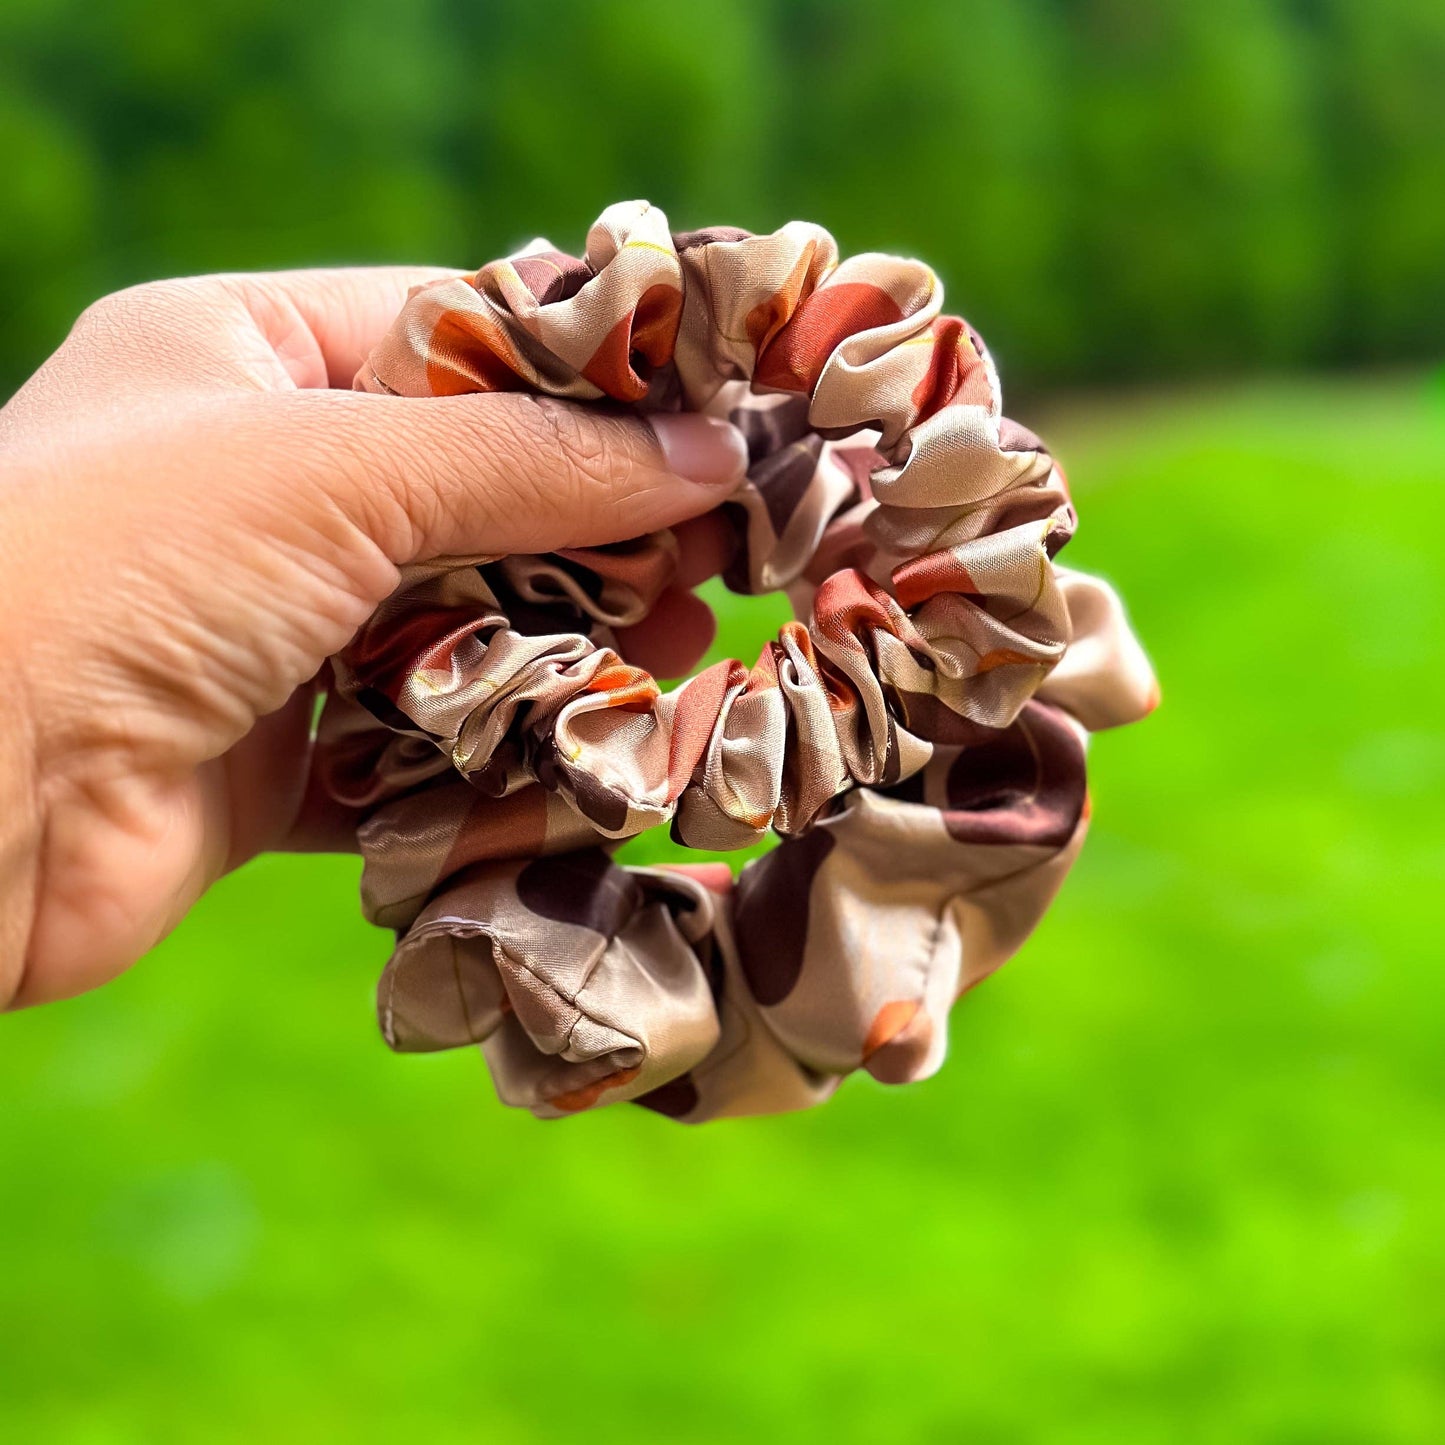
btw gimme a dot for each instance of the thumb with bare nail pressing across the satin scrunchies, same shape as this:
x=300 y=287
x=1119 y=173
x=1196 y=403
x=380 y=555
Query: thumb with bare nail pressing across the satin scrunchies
x=499 y=473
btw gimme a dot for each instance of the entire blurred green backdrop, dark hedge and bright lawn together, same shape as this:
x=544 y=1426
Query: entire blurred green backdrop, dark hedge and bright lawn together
x=1183 y=1177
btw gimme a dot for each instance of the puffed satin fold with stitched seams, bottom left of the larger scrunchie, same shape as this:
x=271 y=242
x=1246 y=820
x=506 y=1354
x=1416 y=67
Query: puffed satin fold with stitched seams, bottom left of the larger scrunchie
x=576 y=976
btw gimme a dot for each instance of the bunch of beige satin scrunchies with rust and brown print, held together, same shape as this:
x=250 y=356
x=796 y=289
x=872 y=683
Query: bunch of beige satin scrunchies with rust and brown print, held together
x=918 y=745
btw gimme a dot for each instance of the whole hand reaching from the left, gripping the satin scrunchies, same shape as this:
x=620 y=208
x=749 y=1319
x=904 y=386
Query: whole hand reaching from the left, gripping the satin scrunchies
x=194 y=517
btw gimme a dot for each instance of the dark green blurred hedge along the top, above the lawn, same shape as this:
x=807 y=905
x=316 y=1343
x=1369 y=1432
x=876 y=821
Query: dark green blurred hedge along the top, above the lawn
x=1110 y=187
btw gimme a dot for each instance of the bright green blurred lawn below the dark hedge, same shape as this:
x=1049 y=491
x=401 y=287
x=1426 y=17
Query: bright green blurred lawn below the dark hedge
x=1180 y=1183
